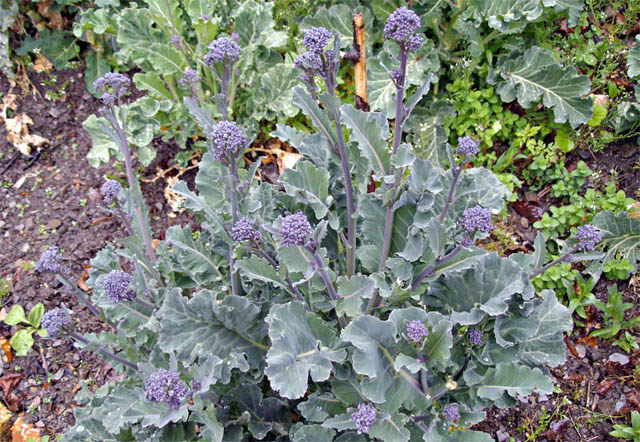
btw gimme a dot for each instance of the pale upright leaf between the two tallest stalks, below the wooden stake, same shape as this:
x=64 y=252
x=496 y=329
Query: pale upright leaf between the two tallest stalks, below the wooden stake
x=370 y=130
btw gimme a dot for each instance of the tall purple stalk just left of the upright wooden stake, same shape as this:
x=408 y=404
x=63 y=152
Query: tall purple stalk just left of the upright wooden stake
x=351 y=206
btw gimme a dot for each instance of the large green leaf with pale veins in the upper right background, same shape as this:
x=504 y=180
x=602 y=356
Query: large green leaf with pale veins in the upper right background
x=535 y=75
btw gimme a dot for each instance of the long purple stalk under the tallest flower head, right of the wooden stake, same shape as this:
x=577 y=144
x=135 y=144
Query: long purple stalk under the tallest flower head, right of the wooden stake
x=397 y=138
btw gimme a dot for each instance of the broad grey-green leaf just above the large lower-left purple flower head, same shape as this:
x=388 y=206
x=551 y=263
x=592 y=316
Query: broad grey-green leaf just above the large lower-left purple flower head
x=232 y=329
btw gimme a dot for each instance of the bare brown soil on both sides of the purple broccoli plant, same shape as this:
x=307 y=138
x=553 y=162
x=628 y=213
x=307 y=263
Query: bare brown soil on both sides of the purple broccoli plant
x=55 y=201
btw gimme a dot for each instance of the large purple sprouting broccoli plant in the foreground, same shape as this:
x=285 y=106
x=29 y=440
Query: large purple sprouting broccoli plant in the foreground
x=320 y=308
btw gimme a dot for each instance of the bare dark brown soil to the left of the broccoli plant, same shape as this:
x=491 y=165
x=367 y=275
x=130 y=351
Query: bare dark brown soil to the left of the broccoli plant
x=55 y=202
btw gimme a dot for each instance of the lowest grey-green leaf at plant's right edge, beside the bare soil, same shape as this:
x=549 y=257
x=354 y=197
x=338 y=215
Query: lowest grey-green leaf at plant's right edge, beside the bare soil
x=514 y=380
